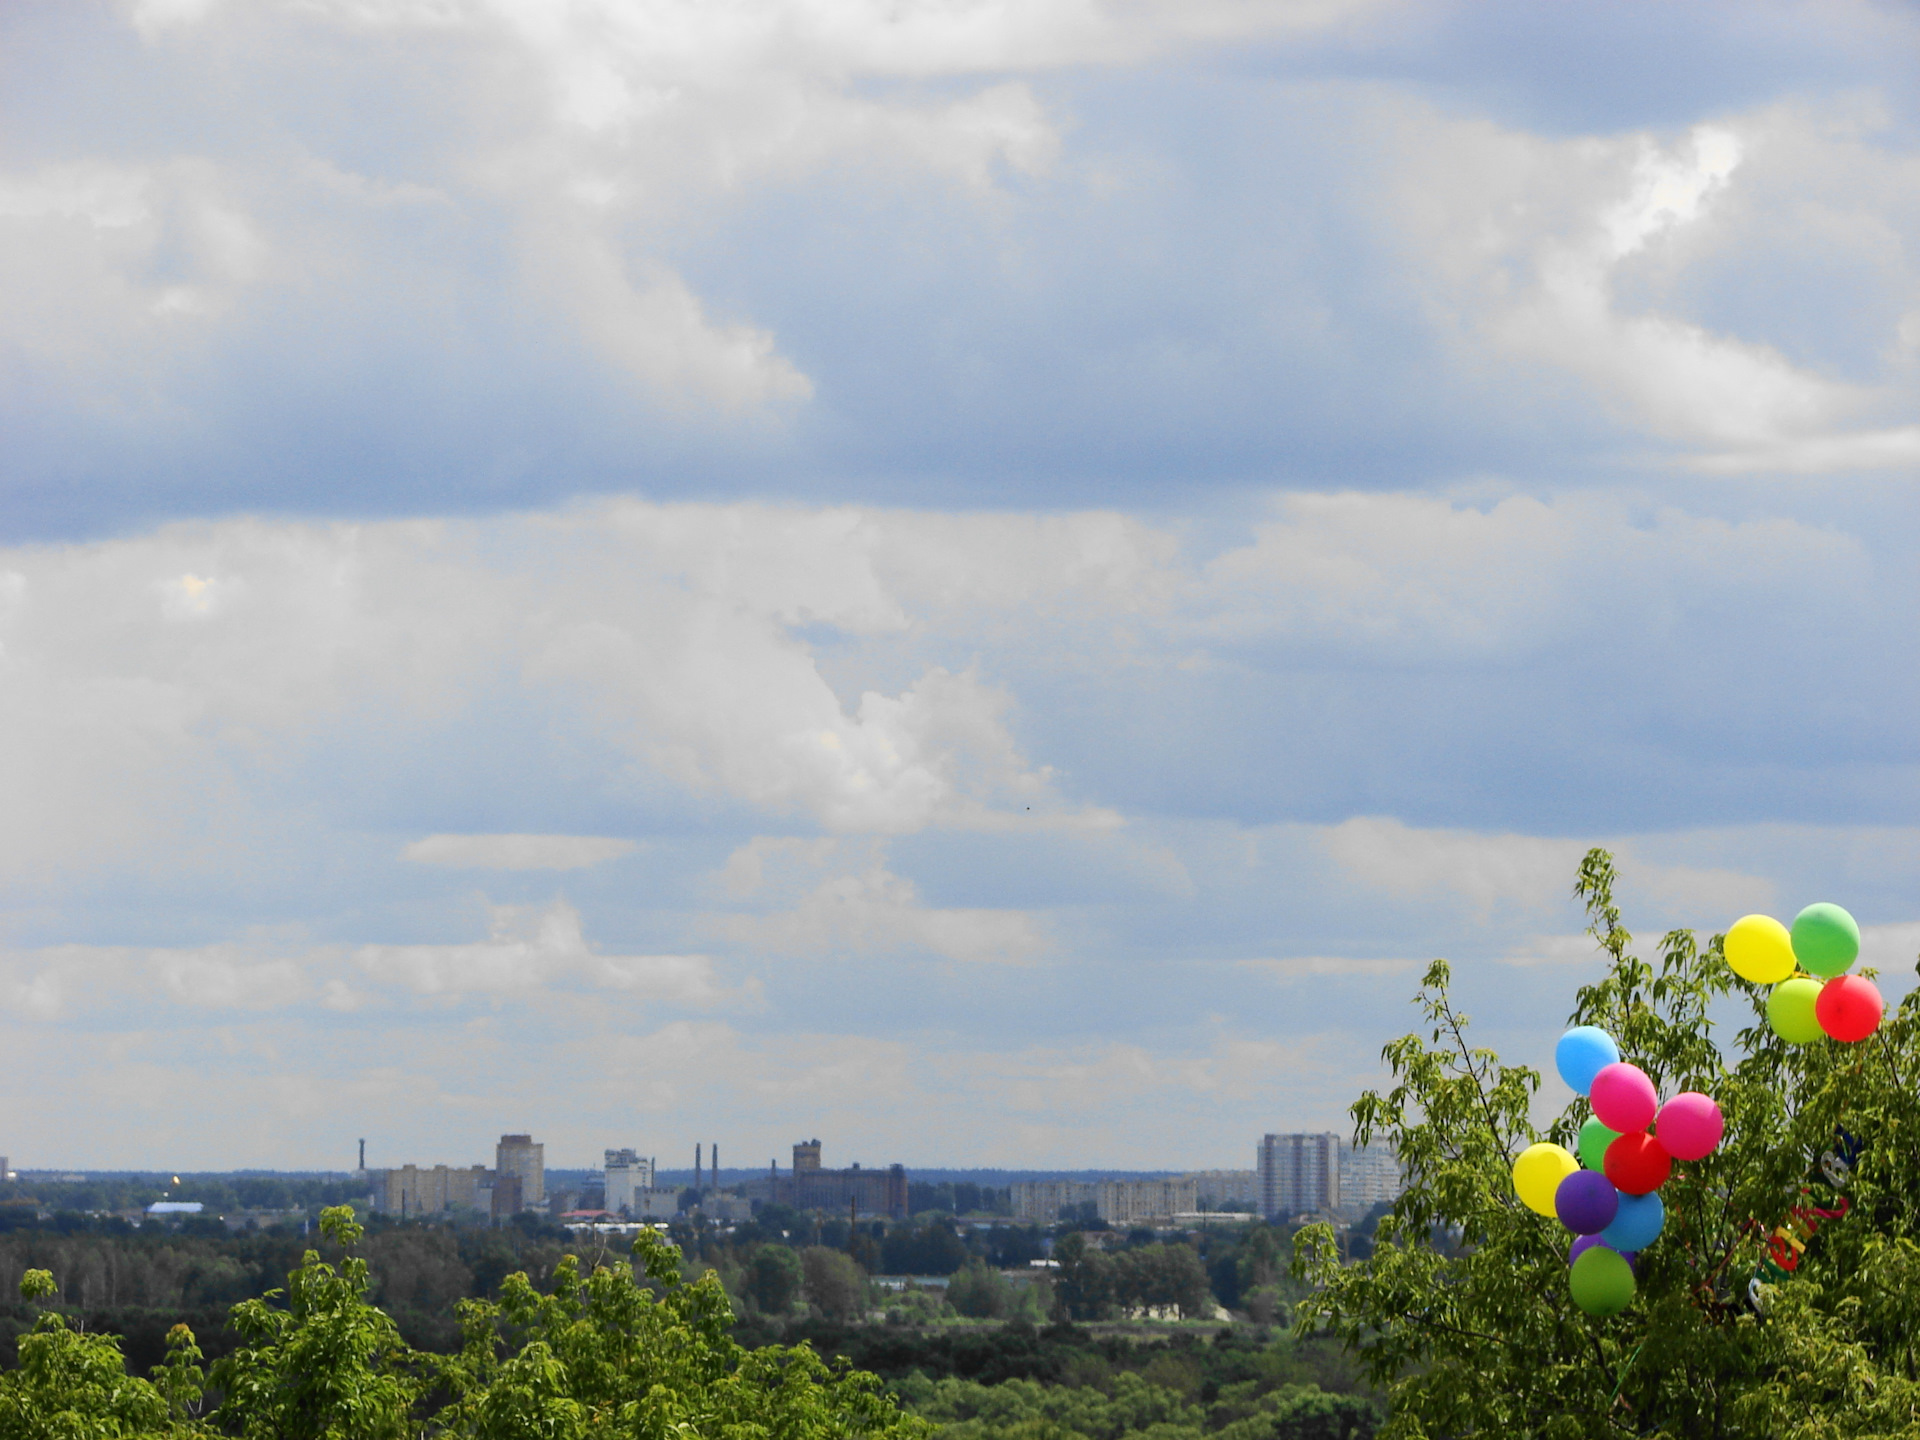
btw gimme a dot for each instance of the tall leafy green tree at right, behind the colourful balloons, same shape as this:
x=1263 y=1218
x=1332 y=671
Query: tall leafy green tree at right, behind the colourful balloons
x=1464 y=1312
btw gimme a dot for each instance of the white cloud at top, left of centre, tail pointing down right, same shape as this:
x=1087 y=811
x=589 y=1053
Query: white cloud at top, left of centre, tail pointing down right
x=598 y=130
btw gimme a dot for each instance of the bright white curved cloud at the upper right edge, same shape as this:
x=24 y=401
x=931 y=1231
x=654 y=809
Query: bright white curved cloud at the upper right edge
x=1573 y=252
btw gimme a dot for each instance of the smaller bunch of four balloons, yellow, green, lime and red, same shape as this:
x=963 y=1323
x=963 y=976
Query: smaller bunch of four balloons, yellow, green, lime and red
x=1812 y=994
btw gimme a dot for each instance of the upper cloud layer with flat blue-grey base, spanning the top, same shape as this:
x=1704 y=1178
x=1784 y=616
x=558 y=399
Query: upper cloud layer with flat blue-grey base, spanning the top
x=921 y=252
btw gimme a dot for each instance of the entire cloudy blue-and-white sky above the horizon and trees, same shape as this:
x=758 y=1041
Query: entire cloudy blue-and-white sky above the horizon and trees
x=986 y=581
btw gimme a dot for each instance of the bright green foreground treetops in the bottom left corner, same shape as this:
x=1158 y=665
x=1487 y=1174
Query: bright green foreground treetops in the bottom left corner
x=613 y=1353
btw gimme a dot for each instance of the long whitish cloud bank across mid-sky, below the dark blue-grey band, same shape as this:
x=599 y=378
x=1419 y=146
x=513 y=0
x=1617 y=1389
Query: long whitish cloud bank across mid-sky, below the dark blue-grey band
x=149 y=681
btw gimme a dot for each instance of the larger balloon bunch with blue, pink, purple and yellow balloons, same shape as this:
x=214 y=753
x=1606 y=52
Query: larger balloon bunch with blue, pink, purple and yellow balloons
x=1610 y=1197
